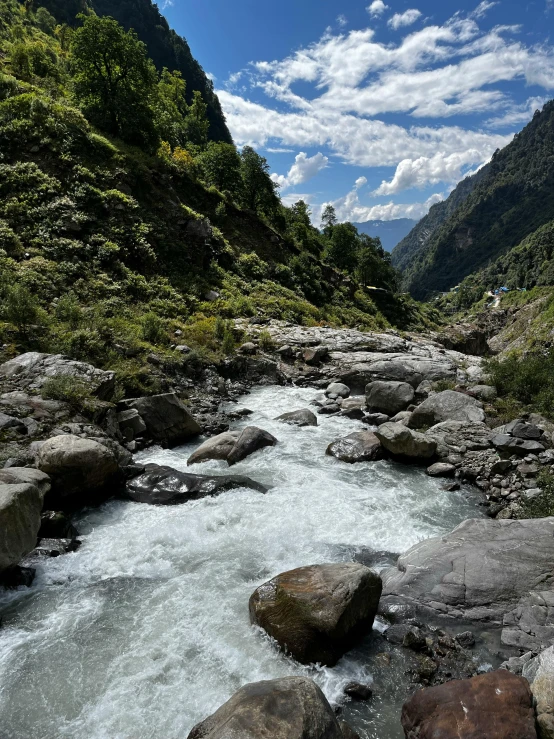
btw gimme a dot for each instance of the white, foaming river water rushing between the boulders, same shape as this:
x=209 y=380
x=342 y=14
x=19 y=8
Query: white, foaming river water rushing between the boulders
x=144 y=631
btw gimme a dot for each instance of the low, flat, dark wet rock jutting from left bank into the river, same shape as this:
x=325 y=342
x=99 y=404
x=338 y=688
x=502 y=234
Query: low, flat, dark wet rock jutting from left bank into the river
x=161 y=485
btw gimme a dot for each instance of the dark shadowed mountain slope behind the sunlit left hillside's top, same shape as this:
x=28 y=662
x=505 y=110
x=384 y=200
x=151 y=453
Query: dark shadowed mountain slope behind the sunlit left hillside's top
x=165 y=47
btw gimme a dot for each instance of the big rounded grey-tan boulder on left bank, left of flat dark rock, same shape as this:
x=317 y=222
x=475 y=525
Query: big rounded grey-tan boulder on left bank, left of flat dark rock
x=76 y=466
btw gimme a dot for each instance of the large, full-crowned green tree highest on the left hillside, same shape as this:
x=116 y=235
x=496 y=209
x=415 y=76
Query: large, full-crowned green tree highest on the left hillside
x=115 y=81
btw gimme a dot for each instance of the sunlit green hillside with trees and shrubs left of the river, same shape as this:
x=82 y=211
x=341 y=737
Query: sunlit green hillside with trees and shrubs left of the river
x=121 y=222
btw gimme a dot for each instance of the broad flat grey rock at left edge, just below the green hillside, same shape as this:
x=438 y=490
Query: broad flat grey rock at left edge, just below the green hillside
x=33 y=369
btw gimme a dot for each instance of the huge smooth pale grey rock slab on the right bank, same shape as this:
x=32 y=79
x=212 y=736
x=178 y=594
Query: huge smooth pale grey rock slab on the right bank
x=479 y=571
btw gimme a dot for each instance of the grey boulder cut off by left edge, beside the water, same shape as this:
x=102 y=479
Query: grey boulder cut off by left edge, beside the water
x=20 y=507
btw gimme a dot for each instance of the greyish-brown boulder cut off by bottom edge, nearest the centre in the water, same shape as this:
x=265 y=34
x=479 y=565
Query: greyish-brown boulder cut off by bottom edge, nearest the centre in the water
x=287 y=708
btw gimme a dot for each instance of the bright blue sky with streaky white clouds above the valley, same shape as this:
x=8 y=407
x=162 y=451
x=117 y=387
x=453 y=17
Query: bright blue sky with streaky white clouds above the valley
x=379 y=107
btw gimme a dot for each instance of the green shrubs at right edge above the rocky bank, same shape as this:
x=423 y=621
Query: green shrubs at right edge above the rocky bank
x=529 y=380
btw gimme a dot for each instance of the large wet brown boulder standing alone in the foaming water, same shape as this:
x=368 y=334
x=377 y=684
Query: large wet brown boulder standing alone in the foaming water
x=318 y=613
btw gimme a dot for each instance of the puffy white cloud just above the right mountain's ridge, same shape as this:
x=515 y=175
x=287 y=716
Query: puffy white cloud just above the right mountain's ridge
x=428 y=171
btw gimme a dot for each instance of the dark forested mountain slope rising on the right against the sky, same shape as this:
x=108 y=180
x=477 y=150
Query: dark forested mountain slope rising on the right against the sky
x=514 y=198
